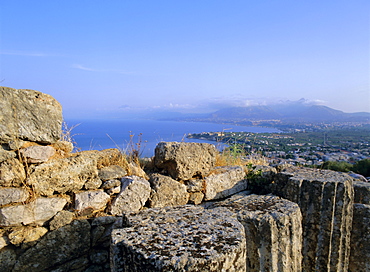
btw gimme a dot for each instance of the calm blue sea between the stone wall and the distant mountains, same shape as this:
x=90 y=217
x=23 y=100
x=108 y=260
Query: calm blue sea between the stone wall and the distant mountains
x=118 y=133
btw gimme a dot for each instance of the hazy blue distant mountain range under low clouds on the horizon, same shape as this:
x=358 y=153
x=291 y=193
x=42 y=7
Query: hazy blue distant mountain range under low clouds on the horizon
x=289 y=112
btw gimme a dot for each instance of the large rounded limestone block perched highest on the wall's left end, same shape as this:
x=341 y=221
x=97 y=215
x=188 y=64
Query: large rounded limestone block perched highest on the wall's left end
x=29 y=115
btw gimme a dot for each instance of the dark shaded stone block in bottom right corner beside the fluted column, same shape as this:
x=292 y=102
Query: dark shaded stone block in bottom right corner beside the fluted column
x=360 y=239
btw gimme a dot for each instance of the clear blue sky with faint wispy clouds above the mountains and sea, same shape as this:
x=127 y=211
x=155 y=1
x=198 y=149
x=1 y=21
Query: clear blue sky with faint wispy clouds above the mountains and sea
x=99 y=57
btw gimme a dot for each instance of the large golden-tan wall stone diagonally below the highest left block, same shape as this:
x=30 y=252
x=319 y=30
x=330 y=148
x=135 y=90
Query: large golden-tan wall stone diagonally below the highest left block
x=63 y=175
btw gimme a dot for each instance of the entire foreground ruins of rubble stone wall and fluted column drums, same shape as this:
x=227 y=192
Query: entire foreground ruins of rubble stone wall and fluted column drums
x=96 y=211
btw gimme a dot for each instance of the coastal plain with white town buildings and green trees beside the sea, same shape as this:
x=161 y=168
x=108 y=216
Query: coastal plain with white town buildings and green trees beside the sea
x=308 y=146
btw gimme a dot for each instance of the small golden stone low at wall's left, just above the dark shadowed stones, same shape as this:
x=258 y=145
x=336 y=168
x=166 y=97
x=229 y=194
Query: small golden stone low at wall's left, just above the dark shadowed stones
x=28 y=236
